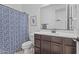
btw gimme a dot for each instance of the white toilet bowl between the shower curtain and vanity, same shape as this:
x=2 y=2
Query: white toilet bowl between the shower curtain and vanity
x=27 y=47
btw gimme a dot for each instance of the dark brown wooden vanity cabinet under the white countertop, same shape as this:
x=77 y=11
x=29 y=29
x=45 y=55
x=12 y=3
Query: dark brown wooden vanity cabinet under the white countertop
x=45 y=44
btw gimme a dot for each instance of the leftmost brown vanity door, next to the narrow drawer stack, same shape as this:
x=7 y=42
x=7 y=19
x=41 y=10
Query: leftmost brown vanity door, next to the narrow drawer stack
x=45 y=47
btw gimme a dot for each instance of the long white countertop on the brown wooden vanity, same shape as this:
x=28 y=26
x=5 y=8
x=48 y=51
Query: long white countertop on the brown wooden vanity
x=60 y=34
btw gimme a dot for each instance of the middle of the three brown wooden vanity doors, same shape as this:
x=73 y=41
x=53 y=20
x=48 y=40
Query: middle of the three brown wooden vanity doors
x=56 y=48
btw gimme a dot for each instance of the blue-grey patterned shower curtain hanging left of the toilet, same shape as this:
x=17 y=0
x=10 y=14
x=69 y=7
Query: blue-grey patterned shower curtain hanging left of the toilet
x=13 y=29
